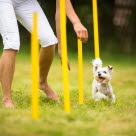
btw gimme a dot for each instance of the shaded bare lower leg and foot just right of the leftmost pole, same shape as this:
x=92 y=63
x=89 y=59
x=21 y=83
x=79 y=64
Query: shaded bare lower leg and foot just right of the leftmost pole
x=46 y=58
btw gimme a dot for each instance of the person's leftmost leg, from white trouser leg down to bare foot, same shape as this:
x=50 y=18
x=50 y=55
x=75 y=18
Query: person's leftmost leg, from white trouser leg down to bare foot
x=10 y=35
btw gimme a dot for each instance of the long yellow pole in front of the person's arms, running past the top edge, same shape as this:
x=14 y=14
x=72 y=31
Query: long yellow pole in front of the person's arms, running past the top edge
x=64 y=55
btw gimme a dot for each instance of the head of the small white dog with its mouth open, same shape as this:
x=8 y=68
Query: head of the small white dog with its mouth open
x=103 y=75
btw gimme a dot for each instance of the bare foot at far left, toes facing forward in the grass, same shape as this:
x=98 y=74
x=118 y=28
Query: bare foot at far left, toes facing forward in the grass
x=7 y=102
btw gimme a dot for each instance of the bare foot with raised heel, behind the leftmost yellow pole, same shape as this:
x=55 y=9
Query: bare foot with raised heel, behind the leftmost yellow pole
x=49 y=92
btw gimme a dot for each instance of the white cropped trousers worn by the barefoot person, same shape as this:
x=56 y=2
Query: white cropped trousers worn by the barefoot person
x=22 y=10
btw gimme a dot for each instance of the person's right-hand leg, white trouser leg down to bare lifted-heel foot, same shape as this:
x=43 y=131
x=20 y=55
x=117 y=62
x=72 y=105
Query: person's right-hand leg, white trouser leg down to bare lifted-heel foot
x=46 y=37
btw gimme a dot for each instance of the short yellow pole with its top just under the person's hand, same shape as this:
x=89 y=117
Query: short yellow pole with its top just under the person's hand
x=80 y=72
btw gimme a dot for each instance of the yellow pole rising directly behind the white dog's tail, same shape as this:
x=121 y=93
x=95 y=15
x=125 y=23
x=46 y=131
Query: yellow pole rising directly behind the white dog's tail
x=95 y=24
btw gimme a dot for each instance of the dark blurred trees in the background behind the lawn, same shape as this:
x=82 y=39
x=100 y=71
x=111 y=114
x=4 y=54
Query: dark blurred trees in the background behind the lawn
x=117 y=20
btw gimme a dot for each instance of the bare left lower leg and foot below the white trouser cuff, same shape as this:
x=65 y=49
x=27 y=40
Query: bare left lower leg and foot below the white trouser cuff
x=7 y=66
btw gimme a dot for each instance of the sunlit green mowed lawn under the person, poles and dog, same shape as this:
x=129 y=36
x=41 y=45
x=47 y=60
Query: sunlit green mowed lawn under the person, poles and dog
x=91 y=119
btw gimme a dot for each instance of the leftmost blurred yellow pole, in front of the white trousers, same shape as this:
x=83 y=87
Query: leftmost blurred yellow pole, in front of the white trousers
x=35 y=68
